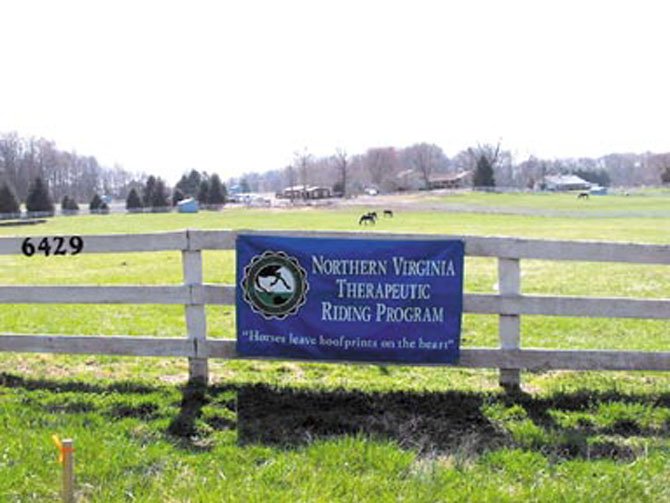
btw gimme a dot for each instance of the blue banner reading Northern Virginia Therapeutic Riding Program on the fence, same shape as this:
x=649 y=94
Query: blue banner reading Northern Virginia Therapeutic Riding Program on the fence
x=349 y=299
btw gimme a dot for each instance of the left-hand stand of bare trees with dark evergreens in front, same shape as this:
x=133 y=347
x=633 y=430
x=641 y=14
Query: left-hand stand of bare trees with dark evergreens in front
x=34 y=172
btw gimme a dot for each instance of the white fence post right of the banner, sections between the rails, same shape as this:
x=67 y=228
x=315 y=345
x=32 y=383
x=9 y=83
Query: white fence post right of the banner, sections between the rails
x=509 y=325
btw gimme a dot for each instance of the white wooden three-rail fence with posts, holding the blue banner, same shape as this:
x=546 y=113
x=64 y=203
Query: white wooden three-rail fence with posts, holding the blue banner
x=509 y=304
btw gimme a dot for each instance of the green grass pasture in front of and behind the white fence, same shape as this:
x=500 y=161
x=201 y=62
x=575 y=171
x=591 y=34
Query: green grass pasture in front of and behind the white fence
x=286 y=431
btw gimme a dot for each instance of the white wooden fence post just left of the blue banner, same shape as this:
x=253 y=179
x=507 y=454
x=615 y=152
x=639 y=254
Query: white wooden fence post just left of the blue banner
x=196 y=320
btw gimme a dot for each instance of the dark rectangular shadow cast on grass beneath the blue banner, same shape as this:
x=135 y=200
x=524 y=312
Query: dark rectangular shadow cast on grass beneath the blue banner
x=430 y=422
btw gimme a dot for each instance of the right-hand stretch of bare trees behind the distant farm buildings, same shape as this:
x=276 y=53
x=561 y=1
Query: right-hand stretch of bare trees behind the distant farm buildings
x=392 y=169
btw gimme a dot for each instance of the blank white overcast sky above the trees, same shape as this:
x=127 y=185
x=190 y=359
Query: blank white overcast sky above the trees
x=231 y=87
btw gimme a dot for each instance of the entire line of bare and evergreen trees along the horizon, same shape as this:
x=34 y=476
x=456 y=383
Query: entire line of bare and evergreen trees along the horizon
x=33 y=171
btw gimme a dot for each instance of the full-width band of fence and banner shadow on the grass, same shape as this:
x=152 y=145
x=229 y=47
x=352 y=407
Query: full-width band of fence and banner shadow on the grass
x=428 y=423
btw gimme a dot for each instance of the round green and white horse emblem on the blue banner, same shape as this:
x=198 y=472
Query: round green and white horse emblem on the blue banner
x=274 y=285
